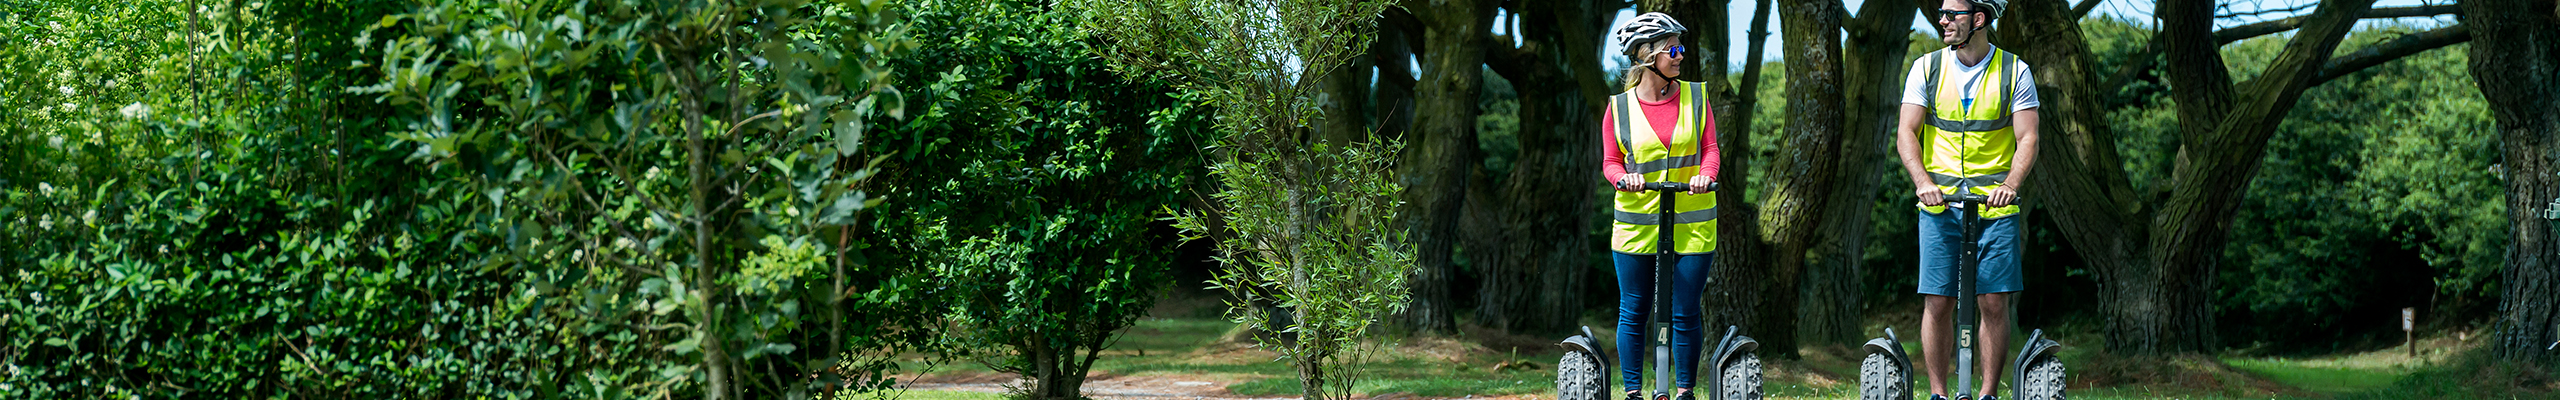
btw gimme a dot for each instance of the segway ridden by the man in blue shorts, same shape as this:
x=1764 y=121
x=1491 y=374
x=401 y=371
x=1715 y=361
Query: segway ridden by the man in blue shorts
x=2036 y=373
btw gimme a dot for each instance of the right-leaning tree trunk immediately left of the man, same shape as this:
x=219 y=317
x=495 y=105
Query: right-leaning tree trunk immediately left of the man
x=1878 y=45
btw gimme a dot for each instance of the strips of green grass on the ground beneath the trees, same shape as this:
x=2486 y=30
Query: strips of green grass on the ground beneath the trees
x=1437 y=368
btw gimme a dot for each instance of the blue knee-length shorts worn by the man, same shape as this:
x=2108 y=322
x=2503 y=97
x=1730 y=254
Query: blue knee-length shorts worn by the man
x=1942 y=237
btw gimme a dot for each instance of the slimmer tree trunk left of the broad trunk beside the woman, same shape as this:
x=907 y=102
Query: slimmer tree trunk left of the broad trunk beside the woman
x=1443 y=153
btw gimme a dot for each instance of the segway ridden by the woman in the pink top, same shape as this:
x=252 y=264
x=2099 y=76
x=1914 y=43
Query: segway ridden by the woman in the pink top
x=1583 y=373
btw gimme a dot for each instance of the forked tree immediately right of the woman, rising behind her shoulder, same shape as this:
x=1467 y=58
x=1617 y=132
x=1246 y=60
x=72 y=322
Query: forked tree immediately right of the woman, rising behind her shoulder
x=1763 y=245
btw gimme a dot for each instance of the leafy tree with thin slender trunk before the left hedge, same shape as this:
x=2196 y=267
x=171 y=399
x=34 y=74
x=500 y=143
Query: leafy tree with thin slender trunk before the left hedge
x=675 y=171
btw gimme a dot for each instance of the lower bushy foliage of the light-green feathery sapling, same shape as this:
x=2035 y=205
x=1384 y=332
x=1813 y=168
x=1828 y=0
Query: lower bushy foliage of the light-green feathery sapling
x=1327 y=281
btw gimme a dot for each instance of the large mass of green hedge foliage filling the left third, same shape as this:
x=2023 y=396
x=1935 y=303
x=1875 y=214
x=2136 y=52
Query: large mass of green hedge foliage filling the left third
x=564 y=206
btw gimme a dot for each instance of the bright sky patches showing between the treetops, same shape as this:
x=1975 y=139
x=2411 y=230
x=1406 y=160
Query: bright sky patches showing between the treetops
x=2124 y=9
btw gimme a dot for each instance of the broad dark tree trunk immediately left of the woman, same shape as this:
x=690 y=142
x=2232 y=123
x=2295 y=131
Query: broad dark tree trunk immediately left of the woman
x=1542 y=255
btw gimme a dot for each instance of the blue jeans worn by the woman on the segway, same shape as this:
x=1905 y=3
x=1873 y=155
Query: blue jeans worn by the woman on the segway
x=1635 y=312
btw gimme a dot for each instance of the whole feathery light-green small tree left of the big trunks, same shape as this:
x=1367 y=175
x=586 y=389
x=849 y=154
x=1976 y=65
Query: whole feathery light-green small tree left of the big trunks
x=1302 y=224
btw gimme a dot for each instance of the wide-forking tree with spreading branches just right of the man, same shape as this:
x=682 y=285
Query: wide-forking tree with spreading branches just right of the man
x=2157 y=255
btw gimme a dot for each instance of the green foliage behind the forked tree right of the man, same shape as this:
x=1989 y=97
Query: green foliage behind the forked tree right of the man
x=2377 y=194
